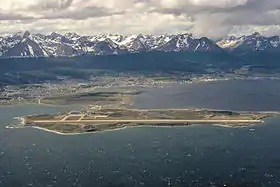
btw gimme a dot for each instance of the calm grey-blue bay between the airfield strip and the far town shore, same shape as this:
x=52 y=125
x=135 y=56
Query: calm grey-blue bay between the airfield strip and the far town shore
x=250 y=95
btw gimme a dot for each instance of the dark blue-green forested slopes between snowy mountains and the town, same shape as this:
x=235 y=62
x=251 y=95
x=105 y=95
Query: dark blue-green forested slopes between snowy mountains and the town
x=36 y=70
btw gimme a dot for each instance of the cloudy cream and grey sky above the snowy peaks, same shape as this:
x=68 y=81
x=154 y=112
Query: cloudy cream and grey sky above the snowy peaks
x=211 y=18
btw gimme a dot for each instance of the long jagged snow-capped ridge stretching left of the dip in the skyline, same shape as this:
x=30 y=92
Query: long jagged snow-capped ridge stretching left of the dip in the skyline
x=26 y=44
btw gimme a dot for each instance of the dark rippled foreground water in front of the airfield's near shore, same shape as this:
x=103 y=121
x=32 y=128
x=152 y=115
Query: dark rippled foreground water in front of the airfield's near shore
x=150 y=157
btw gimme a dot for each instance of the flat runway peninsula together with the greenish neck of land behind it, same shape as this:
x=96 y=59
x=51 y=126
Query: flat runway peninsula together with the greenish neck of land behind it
x=111 y=109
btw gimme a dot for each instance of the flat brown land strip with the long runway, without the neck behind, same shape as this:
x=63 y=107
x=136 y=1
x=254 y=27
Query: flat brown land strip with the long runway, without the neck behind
x=96 y=119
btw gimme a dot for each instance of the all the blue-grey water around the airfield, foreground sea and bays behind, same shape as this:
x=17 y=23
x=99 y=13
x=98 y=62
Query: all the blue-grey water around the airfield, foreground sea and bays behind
x=195 y=156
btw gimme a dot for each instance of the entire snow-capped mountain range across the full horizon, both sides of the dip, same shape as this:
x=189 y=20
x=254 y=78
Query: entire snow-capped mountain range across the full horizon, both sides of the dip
x=26 y=44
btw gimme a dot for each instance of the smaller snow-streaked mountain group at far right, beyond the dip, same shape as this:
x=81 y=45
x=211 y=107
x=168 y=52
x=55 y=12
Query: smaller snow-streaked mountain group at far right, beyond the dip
x=254 y=42
